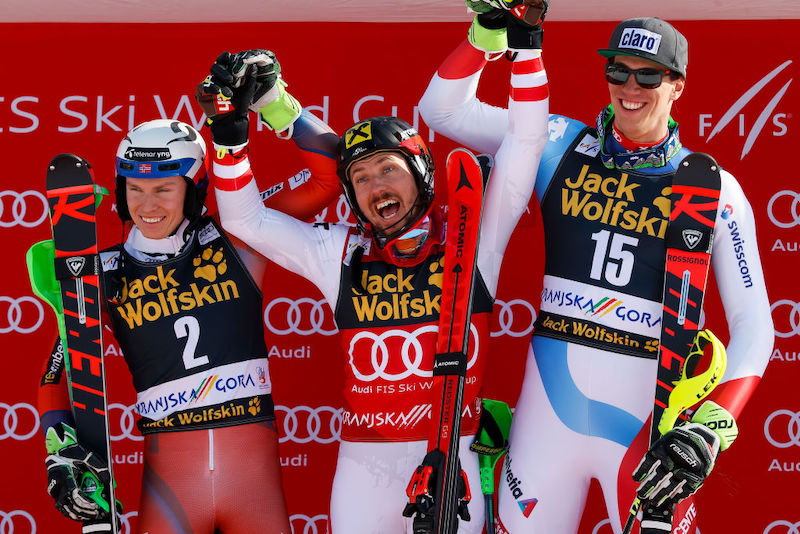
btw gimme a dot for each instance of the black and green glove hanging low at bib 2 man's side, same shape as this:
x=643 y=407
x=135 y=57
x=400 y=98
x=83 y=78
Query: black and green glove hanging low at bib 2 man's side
x=66 y=465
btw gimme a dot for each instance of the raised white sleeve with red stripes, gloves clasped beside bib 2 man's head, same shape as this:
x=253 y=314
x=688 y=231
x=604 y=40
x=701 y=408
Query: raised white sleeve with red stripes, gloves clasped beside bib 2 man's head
x=312 y=251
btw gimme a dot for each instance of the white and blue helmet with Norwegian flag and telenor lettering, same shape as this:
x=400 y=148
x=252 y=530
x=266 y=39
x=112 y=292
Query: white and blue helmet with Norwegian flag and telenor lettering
x=159 y=149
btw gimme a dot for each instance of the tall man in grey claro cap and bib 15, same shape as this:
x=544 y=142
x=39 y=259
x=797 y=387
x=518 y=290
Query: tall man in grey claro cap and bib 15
x=605 y=189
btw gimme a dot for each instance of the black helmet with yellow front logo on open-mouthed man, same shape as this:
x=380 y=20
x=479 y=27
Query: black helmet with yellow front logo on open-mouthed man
x=386 y=134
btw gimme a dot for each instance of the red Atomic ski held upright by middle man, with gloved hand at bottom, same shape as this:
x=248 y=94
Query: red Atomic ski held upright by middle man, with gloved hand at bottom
x=438 y=492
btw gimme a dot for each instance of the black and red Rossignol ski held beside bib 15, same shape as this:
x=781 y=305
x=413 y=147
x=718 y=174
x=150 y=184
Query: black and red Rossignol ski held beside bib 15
x=689 y=238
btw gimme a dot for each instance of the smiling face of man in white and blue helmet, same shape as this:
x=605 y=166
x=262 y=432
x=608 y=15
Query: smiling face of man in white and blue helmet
x=156 y=204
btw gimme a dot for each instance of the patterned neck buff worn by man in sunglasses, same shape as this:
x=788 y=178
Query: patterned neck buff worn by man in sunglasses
x=657 y=156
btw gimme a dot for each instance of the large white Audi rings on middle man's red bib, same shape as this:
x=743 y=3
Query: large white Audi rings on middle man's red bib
x=410 y=351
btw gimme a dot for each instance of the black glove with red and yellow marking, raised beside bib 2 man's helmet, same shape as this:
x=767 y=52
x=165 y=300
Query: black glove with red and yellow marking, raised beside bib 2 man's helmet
x=225 y=97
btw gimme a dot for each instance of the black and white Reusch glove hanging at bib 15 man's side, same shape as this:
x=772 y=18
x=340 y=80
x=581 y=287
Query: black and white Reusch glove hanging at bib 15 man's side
x=677 y=464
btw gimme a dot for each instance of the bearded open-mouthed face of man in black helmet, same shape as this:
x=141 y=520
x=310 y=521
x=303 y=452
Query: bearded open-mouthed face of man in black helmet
x=385 y=190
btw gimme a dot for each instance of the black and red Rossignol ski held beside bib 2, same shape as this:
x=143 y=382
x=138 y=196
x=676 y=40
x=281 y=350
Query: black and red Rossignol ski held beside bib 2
x=71 y=196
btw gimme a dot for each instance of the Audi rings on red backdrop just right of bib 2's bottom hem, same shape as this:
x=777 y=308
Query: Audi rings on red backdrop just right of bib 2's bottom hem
x=303 y=424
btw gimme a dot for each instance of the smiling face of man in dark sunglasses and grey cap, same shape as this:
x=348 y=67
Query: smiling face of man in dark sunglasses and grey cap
x=641 y=114
